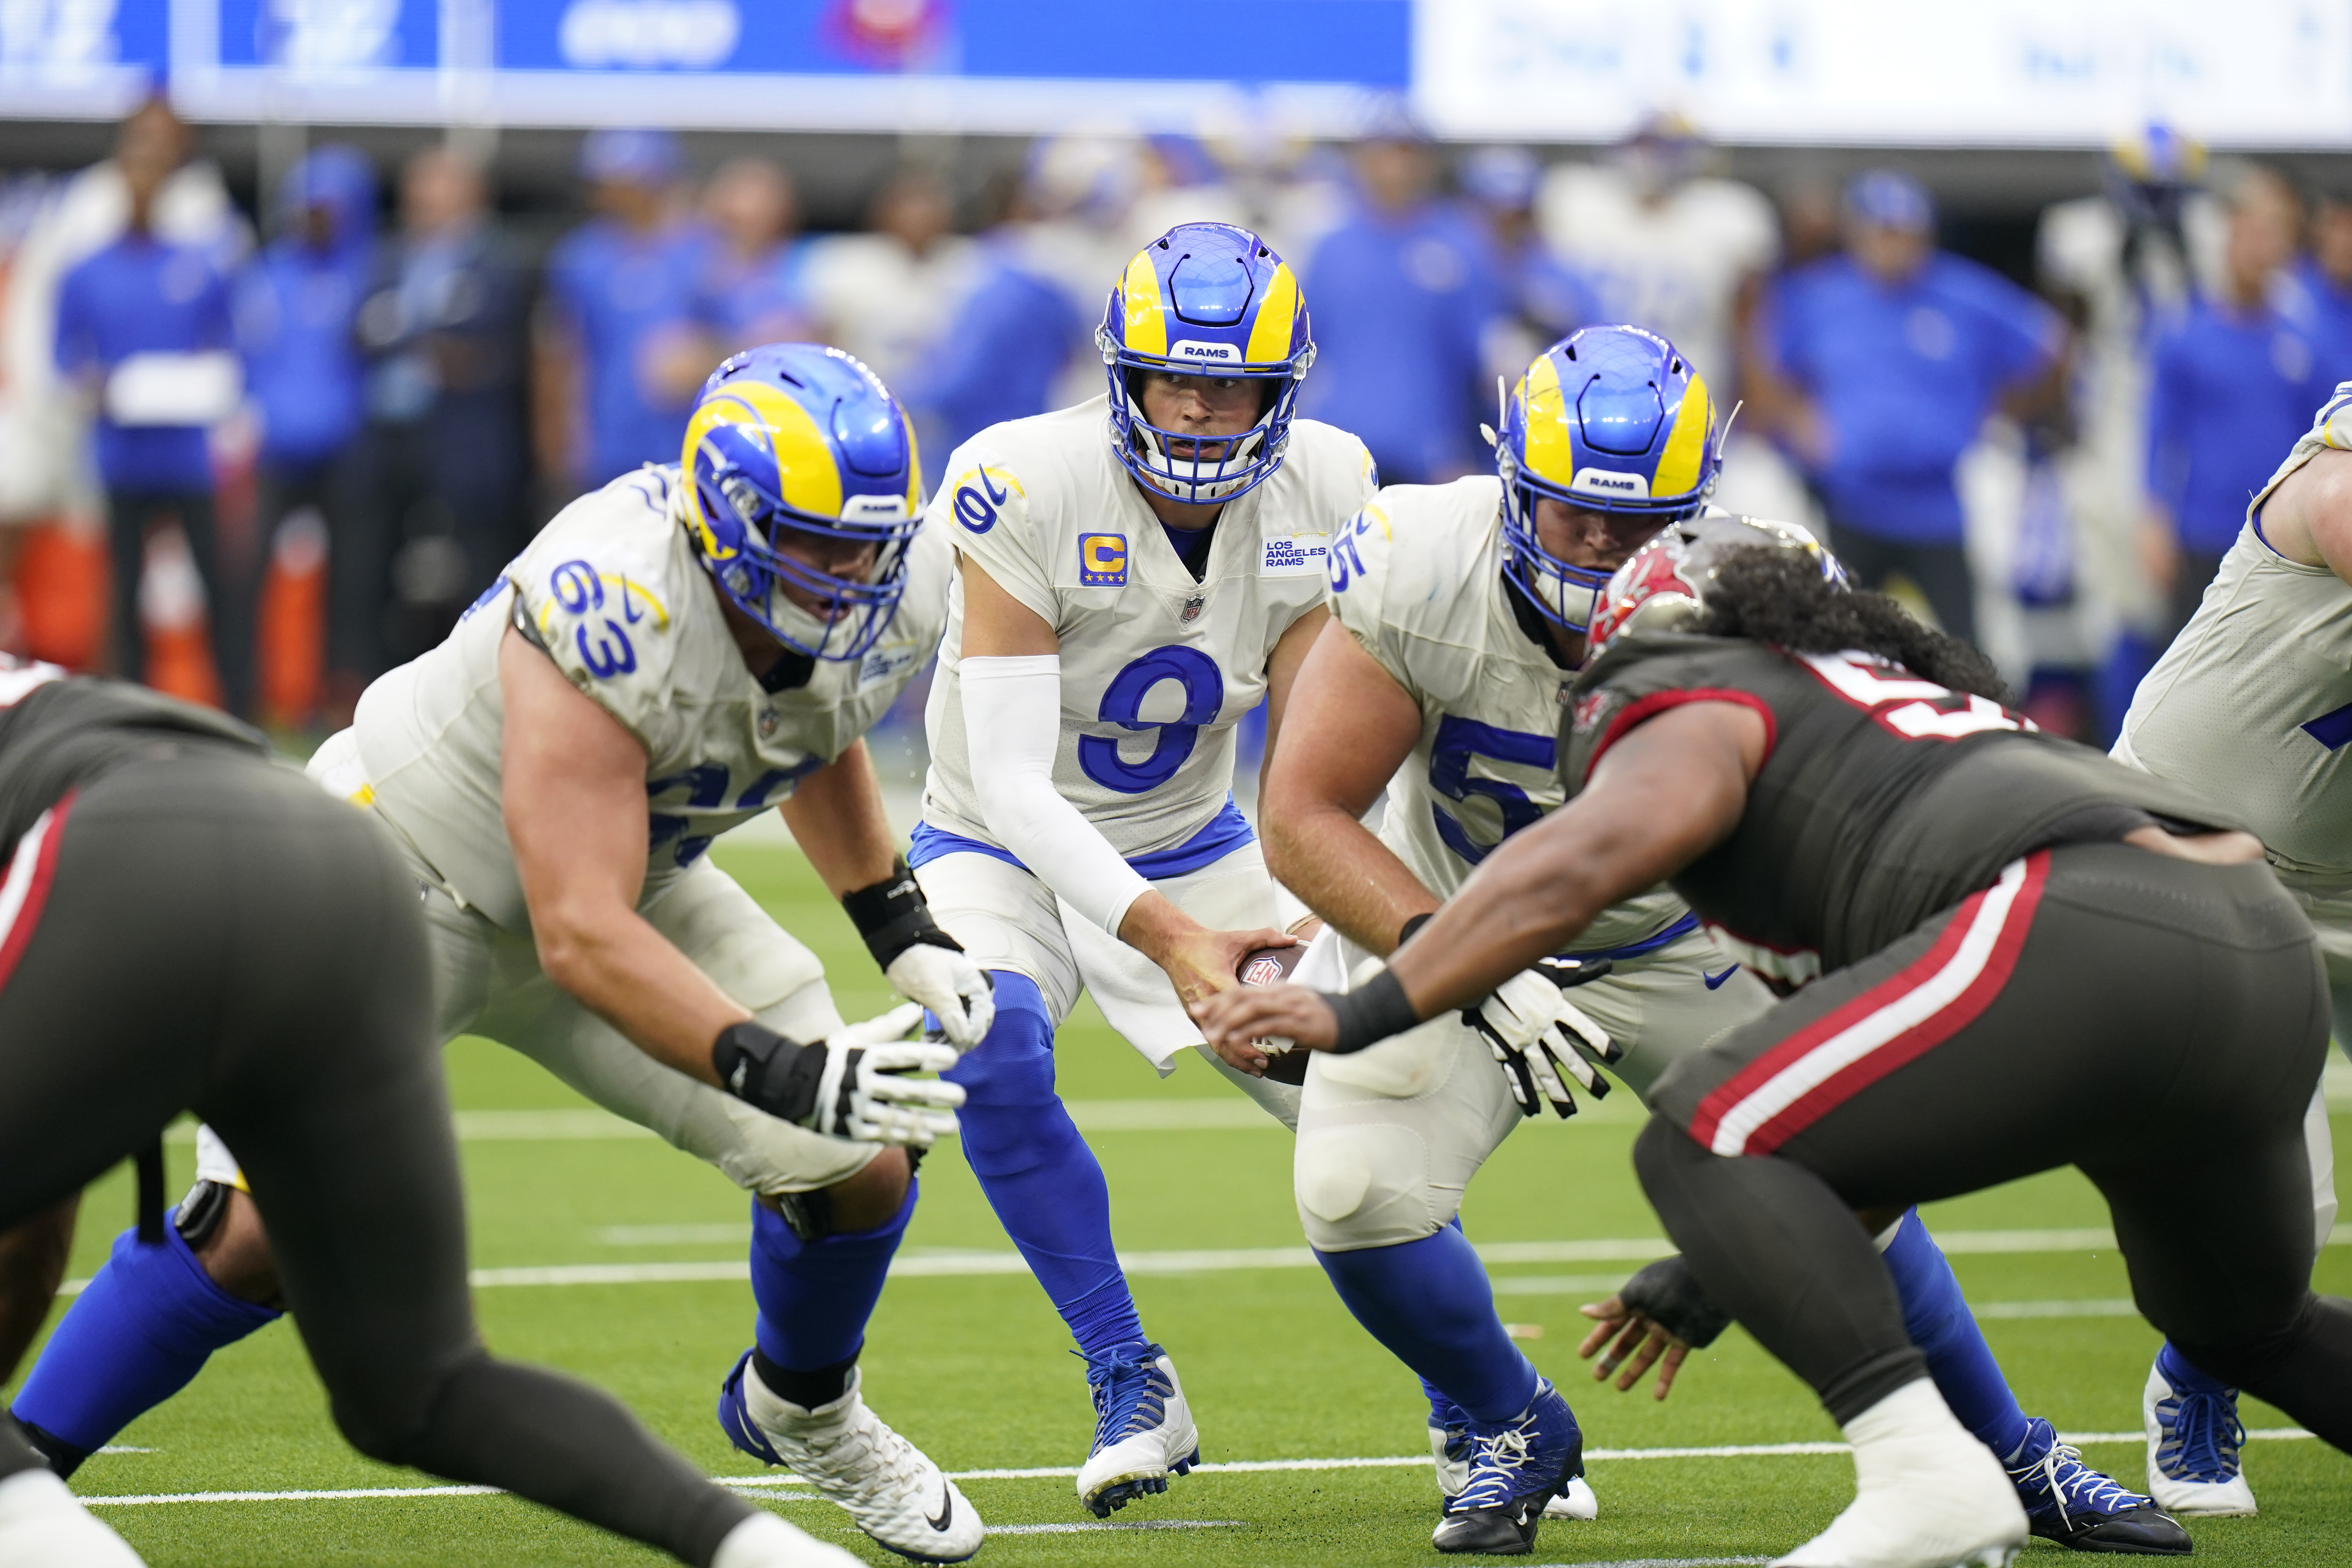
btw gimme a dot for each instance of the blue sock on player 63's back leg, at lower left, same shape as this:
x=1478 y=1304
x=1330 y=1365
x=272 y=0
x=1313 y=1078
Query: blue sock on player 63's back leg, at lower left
x=135 y=1336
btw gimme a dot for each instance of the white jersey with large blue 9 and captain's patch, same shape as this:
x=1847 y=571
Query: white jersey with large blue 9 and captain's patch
x=1156 y=669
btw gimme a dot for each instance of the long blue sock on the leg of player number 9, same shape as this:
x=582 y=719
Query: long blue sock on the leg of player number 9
x=1038 y=1174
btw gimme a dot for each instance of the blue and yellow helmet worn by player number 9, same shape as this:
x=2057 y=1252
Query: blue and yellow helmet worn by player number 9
x=1205 y=300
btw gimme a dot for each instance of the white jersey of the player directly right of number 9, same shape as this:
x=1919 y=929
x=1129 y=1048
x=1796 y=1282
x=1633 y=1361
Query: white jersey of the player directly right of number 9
x=1417 y=579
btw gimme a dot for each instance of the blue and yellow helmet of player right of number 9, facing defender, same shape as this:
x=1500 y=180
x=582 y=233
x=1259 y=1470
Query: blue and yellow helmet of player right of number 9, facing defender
x=1610 y=420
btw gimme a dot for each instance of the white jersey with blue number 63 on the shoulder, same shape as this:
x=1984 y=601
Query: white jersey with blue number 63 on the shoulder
x=620 y=601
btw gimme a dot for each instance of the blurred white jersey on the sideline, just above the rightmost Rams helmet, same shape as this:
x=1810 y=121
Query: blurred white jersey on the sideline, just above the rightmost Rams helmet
x=1673 y=264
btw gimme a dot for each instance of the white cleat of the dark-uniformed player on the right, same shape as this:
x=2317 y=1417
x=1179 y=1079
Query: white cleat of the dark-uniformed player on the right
x=1925 y=1494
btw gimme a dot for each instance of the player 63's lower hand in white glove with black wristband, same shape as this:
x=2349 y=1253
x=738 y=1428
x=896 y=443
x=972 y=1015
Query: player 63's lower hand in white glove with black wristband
x=850 y=1085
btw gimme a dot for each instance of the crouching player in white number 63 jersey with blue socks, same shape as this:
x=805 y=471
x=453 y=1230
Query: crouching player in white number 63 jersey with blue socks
x=671 y=657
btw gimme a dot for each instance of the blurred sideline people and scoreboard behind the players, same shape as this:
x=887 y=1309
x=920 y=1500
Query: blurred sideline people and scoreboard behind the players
x=312 y=311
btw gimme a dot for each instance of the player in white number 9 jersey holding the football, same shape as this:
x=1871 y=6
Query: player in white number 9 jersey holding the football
x=1137 y=575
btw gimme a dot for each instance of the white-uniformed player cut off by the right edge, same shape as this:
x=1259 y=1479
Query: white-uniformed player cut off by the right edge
x=2254 y=706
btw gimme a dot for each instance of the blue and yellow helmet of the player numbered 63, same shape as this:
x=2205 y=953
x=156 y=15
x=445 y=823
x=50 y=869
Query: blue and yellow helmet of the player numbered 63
x=796 y=441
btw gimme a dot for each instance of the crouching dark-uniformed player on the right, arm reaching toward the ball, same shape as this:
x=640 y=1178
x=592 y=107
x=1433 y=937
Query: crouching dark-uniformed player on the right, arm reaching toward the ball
x=2026 y=956
